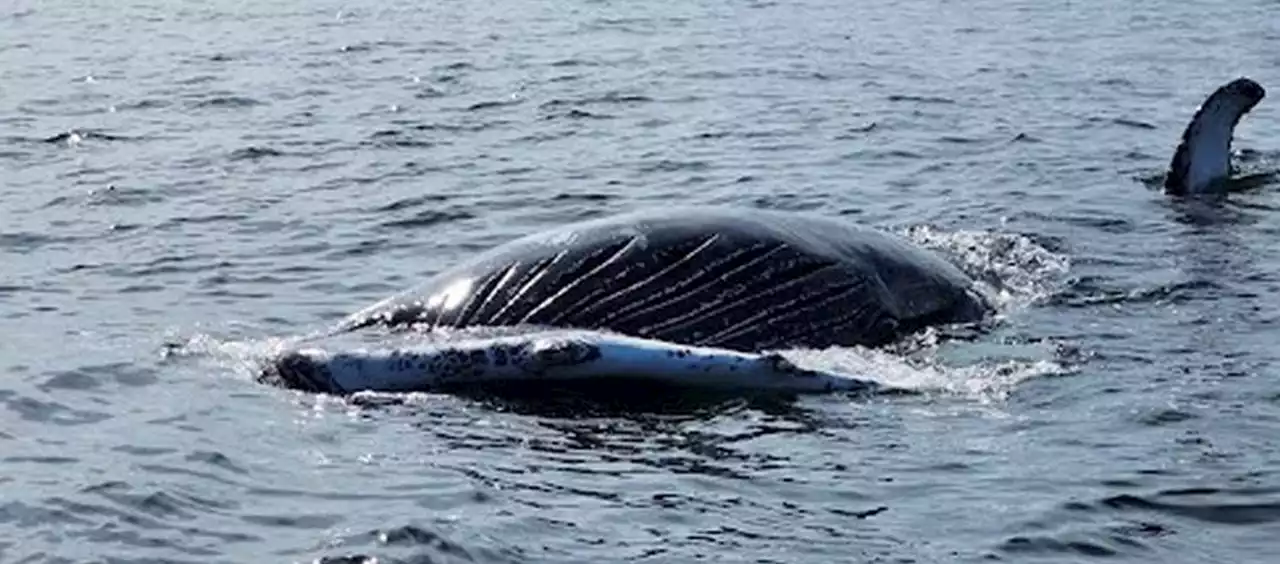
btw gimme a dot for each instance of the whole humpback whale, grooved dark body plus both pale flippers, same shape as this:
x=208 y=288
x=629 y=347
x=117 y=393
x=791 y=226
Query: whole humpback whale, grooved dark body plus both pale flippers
x=701 y=296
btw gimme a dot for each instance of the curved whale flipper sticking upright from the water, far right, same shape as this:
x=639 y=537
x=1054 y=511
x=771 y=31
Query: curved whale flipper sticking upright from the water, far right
x=1204 y=157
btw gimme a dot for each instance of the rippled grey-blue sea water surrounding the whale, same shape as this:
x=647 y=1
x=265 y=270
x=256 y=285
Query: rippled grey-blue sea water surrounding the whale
x=231 y=173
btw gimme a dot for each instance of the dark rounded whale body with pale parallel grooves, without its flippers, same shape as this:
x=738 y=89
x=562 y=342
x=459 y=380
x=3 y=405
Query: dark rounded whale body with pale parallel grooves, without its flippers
x=738 y=279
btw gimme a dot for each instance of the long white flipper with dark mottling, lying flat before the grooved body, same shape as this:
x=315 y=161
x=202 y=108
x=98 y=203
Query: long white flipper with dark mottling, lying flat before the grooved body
x=560 y=357
